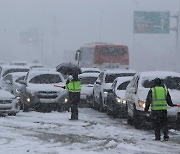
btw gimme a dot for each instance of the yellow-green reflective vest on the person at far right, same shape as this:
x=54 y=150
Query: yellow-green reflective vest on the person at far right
x=159 y=102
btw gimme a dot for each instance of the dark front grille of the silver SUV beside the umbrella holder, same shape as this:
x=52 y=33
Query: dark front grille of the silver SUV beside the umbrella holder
x=47 y=94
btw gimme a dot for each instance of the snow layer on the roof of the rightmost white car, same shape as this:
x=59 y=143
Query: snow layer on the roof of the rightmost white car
x=160 y=74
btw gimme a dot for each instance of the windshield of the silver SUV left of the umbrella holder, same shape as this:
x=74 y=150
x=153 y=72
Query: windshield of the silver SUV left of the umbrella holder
x=46 y=79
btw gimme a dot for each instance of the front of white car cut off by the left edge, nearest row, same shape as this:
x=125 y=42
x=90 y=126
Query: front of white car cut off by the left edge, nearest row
x=8 y=103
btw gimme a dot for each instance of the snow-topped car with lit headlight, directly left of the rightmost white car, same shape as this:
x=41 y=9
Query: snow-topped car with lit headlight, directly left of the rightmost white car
x=116 y=102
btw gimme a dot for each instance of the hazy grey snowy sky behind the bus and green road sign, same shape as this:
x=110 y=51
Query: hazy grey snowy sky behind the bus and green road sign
x=60 y=27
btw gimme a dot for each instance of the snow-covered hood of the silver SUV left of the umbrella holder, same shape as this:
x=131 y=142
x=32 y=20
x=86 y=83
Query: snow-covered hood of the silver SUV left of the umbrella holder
x=46 y=87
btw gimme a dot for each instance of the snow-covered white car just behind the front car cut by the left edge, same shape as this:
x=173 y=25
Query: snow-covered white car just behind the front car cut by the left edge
x=11 y=83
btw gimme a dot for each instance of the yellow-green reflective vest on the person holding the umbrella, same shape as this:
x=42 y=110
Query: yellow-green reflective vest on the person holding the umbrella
x=74 y=86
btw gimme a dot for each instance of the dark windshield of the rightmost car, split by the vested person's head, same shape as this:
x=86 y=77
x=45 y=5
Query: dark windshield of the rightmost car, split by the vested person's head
x=170 y=82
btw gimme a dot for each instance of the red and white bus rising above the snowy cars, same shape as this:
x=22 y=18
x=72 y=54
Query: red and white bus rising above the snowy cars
x=103 y=55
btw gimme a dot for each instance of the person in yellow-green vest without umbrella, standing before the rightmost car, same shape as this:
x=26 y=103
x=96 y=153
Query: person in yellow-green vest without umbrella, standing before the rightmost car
x=158 y=97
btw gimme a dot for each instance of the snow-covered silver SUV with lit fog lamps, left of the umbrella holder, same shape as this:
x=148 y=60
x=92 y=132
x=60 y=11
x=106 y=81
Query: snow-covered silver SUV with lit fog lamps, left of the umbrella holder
x=44 y=89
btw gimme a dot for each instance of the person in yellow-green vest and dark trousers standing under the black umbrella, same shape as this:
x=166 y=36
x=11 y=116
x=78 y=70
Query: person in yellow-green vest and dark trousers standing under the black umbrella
x=74 y=88
